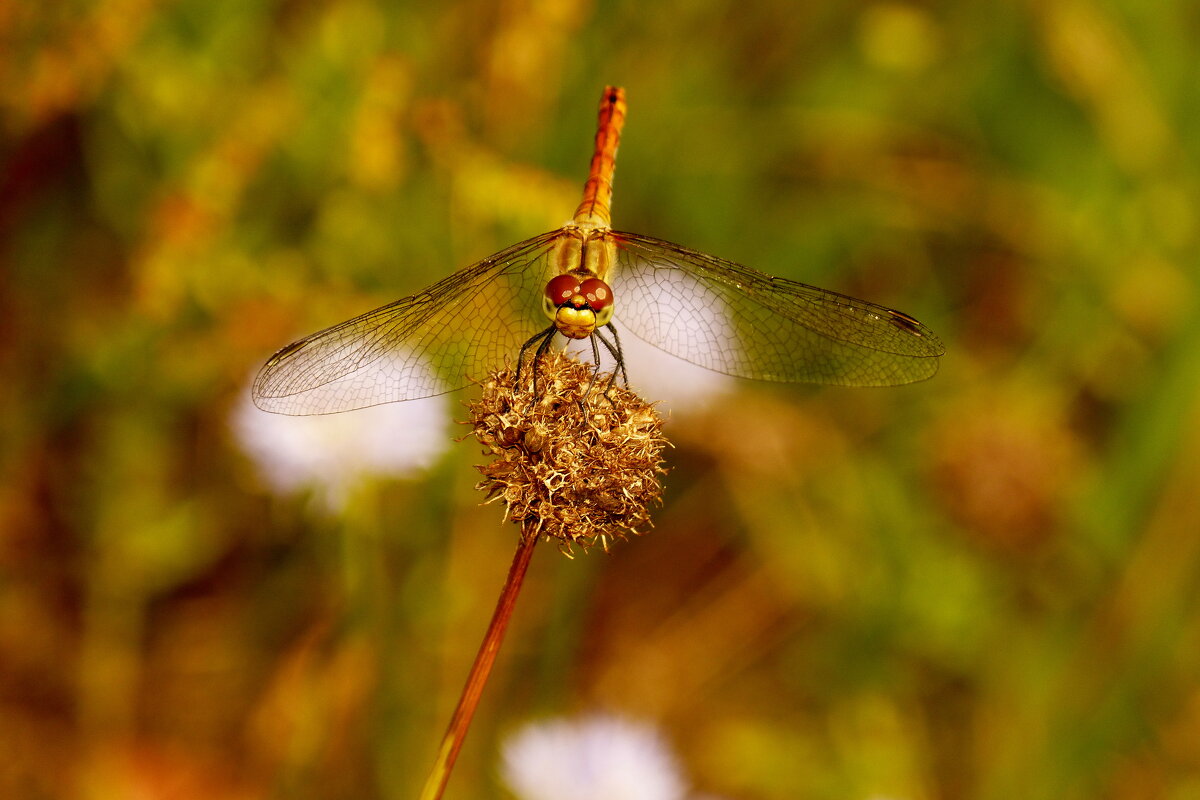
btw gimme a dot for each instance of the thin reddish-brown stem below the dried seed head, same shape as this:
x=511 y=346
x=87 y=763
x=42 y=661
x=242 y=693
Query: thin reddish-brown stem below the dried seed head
x=469 y=702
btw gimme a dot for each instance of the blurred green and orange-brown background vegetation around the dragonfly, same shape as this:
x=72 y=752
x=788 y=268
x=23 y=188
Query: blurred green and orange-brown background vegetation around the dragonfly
x=985 y=586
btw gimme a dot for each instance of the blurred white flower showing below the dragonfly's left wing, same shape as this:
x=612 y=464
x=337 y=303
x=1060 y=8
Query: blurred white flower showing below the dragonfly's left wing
x=333 y=454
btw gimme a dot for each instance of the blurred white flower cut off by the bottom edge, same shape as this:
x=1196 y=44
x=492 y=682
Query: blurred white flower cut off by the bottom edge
x=593 y=759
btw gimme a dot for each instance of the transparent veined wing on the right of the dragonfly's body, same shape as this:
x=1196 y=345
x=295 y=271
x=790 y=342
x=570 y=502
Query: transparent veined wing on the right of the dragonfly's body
x=733 y=320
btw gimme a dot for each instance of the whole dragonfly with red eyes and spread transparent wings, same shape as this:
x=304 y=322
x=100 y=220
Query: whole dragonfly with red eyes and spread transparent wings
x=583 y=282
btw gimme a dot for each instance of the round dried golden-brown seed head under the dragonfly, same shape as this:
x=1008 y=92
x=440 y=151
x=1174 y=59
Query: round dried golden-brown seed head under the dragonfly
x=574 y=462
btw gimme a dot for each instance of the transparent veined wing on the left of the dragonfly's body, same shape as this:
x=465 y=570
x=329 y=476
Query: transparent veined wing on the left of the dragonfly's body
x=427 y=345
